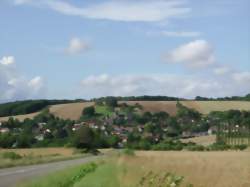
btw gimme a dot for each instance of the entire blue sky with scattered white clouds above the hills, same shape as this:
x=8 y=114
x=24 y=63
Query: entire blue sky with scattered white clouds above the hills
x=58 y=49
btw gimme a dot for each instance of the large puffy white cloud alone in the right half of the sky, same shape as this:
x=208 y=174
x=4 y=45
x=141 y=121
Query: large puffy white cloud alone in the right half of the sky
x=196 y=54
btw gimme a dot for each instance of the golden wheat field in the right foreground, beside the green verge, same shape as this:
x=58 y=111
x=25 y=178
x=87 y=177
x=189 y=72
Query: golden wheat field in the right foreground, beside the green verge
x=202 y=169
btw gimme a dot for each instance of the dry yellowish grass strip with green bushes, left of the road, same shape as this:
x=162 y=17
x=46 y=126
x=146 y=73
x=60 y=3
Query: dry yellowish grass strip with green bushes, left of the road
x=20 y=157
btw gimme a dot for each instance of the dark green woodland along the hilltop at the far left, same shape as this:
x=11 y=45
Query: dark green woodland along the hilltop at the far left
x=29 y=106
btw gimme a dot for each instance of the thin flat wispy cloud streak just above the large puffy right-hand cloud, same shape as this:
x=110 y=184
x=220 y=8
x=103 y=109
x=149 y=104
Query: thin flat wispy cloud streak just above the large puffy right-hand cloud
x=174 y=33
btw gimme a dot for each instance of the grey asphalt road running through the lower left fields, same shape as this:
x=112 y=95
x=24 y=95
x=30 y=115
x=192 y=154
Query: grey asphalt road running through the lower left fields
x=10 y=177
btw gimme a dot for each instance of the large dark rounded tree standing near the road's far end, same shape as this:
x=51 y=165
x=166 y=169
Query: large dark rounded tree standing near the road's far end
x=84 y=138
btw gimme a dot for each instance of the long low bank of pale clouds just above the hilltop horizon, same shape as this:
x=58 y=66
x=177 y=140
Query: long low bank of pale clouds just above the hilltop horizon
x=171 y=85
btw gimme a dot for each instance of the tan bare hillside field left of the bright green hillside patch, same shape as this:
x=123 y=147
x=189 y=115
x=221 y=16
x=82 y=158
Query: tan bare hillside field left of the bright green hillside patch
x=71 y=111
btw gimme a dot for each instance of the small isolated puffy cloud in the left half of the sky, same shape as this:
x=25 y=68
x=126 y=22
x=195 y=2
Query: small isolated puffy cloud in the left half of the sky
x=77 y=46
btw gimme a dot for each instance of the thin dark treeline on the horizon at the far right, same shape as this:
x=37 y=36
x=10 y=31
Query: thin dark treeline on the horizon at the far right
x=233 y=98
